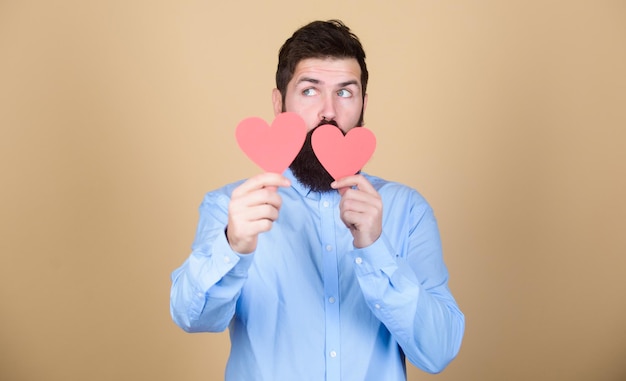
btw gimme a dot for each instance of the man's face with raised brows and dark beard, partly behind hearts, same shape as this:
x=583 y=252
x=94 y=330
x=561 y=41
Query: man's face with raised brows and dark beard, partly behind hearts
x=322 y=91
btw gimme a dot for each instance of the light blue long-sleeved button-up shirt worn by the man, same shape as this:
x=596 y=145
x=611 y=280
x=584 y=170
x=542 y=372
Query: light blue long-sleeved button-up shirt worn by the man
x=308 y=305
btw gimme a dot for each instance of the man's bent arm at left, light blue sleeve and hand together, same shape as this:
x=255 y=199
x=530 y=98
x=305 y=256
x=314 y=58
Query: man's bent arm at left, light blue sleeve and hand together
x=206 y=287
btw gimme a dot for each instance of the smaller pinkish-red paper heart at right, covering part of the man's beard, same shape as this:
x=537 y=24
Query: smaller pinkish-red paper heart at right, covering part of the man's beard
x=343 y=155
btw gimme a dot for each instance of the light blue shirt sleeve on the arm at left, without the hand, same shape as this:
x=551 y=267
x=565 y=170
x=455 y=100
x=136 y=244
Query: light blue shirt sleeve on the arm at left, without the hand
x=205 y=288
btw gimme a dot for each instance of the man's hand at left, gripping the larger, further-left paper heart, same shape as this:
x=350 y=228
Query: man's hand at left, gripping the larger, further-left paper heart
x=253 y=208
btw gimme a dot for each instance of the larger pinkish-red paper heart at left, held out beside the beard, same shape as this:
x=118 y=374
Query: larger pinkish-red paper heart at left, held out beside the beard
x=272 y=148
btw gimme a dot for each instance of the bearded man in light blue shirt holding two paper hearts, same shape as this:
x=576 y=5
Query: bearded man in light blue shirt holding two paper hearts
x=319 y=279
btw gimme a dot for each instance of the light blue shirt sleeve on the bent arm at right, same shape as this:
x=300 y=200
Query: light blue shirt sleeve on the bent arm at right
x=405 y=283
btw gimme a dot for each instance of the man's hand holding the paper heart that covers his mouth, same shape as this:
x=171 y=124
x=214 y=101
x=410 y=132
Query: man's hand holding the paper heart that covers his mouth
x=361 y=209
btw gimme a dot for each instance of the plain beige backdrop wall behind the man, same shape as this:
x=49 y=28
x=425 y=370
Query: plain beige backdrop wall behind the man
x=117 y=116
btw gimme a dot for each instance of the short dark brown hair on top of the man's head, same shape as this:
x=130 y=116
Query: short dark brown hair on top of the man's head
x=319 y=39
